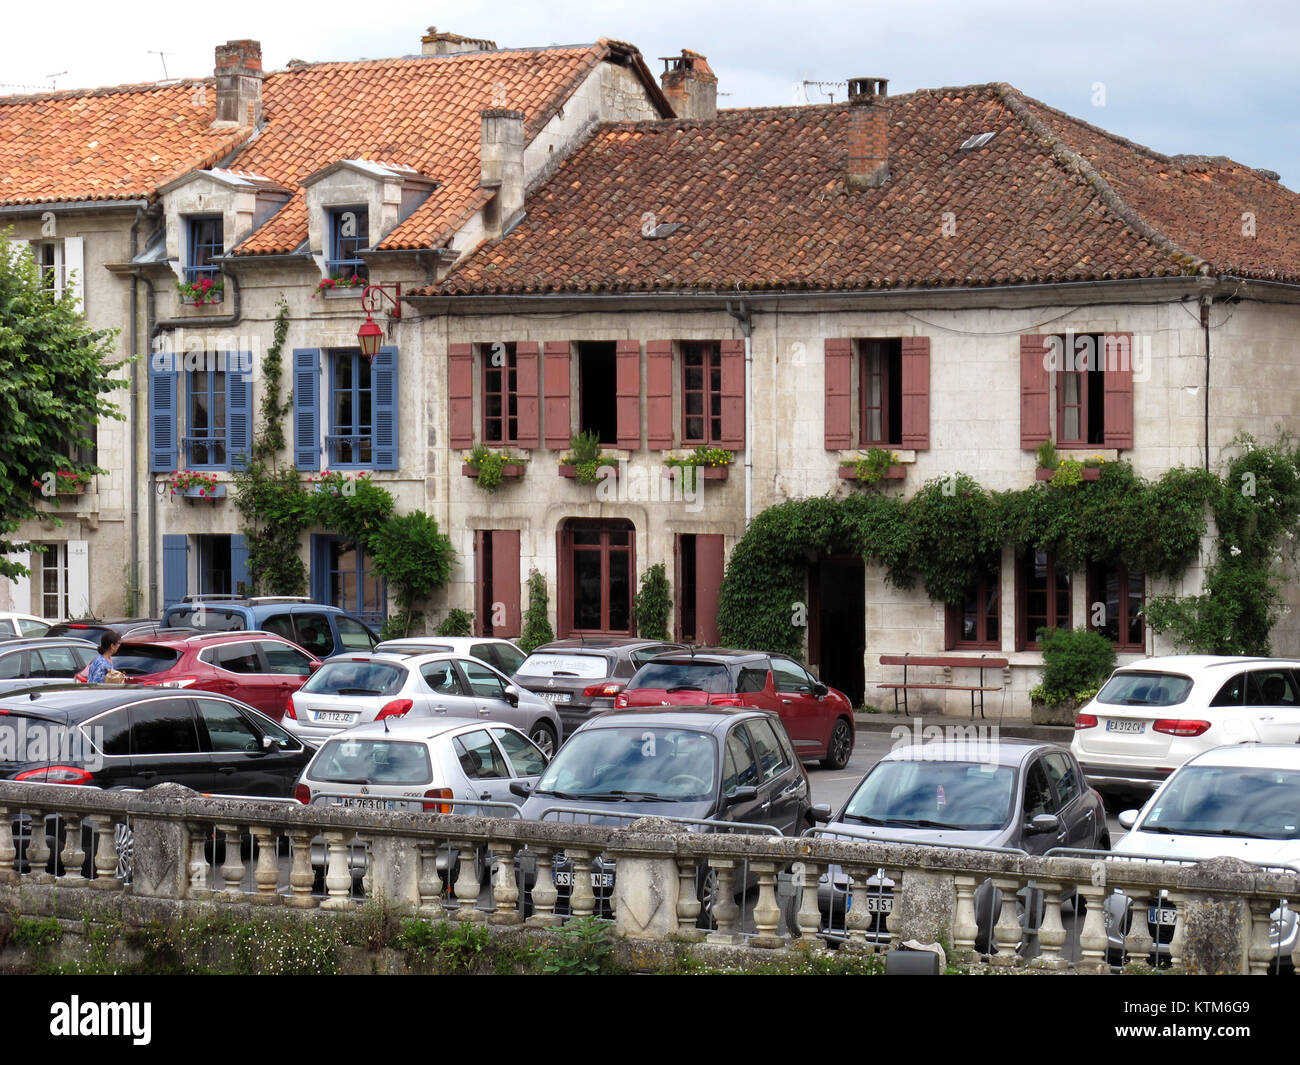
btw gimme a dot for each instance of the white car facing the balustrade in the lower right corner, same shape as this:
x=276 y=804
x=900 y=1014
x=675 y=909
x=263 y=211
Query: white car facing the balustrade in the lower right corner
x=1233 y=802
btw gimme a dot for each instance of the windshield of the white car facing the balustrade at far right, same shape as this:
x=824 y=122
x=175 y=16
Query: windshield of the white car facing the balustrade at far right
x=1229 y=802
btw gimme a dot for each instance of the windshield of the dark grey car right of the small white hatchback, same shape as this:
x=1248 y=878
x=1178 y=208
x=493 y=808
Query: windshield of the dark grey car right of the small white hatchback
x=635 y=764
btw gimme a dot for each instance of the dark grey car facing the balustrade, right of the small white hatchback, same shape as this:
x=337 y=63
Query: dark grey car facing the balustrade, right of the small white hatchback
x=723 y=765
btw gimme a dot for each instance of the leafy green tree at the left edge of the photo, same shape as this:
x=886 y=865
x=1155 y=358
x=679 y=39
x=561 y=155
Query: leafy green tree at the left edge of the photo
x=55 y=376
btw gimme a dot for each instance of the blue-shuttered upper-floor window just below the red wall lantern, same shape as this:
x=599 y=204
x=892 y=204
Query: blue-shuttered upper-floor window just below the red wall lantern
x=353 y=422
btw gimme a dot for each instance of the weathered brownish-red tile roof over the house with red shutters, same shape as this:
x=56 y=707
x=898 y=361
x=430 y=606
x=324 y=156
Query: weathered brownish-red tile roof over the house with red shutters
x=762 y=201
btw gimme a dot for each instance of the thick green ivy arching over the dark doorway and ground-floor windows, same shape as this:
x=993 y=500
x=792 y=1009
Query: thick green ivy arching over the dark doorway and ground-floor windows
x=950 y=532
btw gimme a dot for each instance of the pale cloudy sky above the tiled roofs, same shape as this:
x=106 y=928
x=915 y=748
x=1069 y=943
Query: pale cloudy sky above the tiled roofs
x=1204 y=79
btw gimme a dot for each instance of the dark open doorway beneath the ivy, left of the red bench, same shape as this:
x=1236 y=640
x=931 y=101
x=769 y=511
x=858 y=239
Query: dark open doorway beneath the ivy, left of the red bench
x=838 y=625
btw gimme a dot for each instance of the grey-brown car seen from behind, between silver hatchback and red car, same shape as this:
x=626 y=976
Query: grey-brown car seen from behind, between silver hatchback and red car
x=582 y=678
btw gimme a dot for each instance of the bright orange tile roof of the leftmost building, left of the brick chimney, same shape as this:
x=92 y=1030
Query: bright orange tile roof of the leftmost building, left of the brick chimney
x=107 y=144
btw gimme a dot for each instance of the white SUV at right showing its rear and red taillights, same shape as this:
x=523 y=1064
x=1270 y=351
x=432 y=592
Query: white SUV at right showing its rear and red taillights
x=1154 y=716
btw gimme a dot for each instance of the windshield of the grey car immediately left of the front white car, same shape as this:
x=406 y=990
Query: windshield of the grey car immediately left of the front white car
x=935 y=795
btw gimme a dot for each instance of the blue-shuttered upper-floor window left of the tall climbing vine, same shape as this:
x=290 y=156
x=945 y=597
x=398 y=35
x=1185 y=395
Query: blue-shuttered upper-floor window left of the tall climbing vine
x=201 y=410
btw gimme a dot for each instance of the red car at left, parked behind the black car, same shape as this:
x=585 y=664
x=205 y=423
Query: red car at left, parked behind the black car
x=255 y=668
